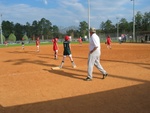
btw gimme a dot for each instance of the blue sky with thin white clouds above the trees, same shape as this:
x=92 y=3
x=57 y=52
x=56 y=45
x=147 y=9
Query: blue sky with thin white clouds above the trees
x=65 y=13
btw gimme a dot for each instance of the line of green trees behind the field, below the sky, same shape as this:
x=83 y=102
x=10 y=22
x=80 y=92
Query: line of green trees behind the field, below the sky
x=45 y=30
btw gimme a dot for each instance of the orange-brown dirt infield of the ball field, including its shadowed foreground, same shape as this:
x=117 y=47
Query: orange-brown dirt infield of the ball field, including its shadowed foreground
x=28 y=85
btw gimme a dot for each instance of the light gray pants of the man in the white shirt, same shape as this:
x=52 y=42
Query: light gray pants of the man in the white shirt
x=94 y=60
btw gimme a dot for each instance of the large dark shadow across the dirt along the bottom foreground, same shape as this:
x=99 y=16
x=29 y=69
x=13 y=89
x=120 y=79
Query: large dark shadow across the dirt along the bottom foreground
x=134 y=99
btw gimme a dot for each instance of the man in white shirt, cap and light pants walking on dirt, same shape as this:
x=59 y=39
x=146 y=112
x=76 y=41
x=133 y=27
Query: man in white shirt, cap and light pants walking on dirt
x=94 y=55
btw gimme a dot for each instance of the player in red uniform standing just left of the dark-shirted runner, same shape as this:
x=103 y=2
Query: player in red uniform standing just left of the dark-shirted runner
x=55 y=47
